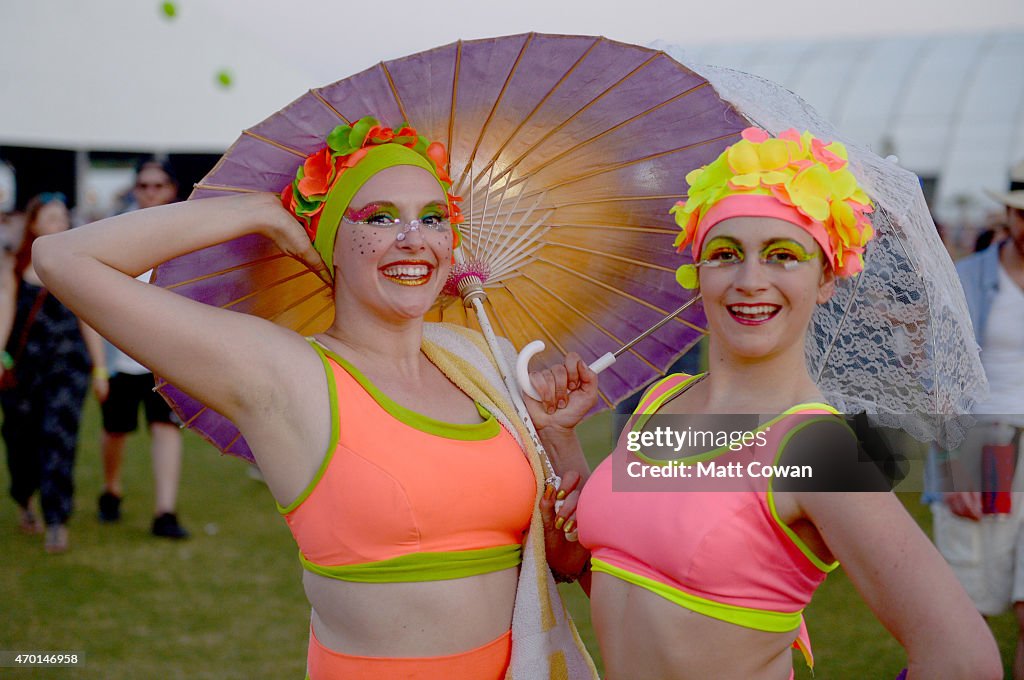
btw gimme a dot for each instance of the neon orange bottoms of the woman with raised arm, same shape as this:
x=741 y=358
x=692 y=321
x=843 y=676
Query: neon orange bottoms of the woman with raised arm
x=486 y=663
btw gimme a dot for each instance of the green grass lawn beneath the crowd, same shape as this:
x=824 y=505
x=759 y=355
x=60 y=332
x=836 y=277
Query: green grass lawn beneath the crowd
x=229 y=603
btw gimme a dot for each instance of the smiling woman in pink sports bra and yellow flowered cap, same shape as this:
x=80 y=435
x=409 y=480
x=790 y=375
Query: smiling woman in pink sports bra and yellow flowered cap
x=701 y=564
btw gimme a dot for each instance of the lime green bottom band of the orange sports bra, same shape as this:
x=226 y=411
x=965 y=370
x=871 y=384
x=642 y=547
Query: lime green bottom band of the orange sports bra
x=424 y=567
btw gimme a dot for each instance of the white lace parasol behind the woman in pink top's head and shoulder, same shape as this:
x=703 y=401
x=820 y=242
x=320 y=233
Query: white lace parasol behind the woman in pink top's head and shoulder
x=895 y=342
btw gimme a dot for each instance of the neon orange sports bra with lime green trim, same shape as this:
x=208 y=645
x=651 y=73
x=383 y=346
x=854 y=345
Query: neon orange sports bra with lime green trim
x=402 y=497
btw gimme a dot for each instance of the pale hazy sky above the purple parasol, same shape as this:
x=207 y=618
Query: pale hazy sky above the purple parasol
x=343 y=38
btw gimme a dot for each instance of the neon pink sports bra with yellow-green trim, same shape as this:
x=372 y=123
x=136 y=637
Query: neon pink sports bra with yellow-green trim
x=721 y=554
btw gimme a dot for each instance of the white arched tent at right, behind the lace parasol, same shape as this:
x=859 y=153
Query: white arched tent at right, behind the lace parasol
x=951 y=108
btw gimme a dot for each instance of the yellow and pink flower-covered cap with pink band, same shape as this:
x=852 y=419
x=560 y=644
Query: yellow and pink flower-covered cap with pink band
x=795 y=178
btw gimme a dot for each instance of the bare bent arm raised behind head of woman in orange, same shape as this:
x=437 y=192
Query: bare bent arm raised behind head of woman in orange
x=230 y=361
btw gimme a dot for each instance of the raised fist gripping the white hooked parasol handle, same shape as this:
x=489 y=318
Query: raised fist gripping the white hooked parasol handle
x=568 y=391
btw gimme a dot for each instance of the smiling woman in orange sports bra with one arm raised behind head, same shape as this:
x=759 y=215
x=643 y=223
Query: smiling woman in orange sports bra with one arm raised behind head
x=388 y=443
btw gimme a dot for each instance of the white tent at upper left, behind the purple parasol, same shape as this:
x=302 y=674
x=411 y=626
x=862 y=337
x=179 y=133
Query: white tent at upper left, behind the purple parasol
x=121 y=75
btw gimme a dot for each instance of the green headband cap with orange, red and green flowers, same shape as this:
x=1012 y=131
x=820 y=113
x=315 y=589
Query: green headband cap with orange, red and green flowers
x=328 y=180
